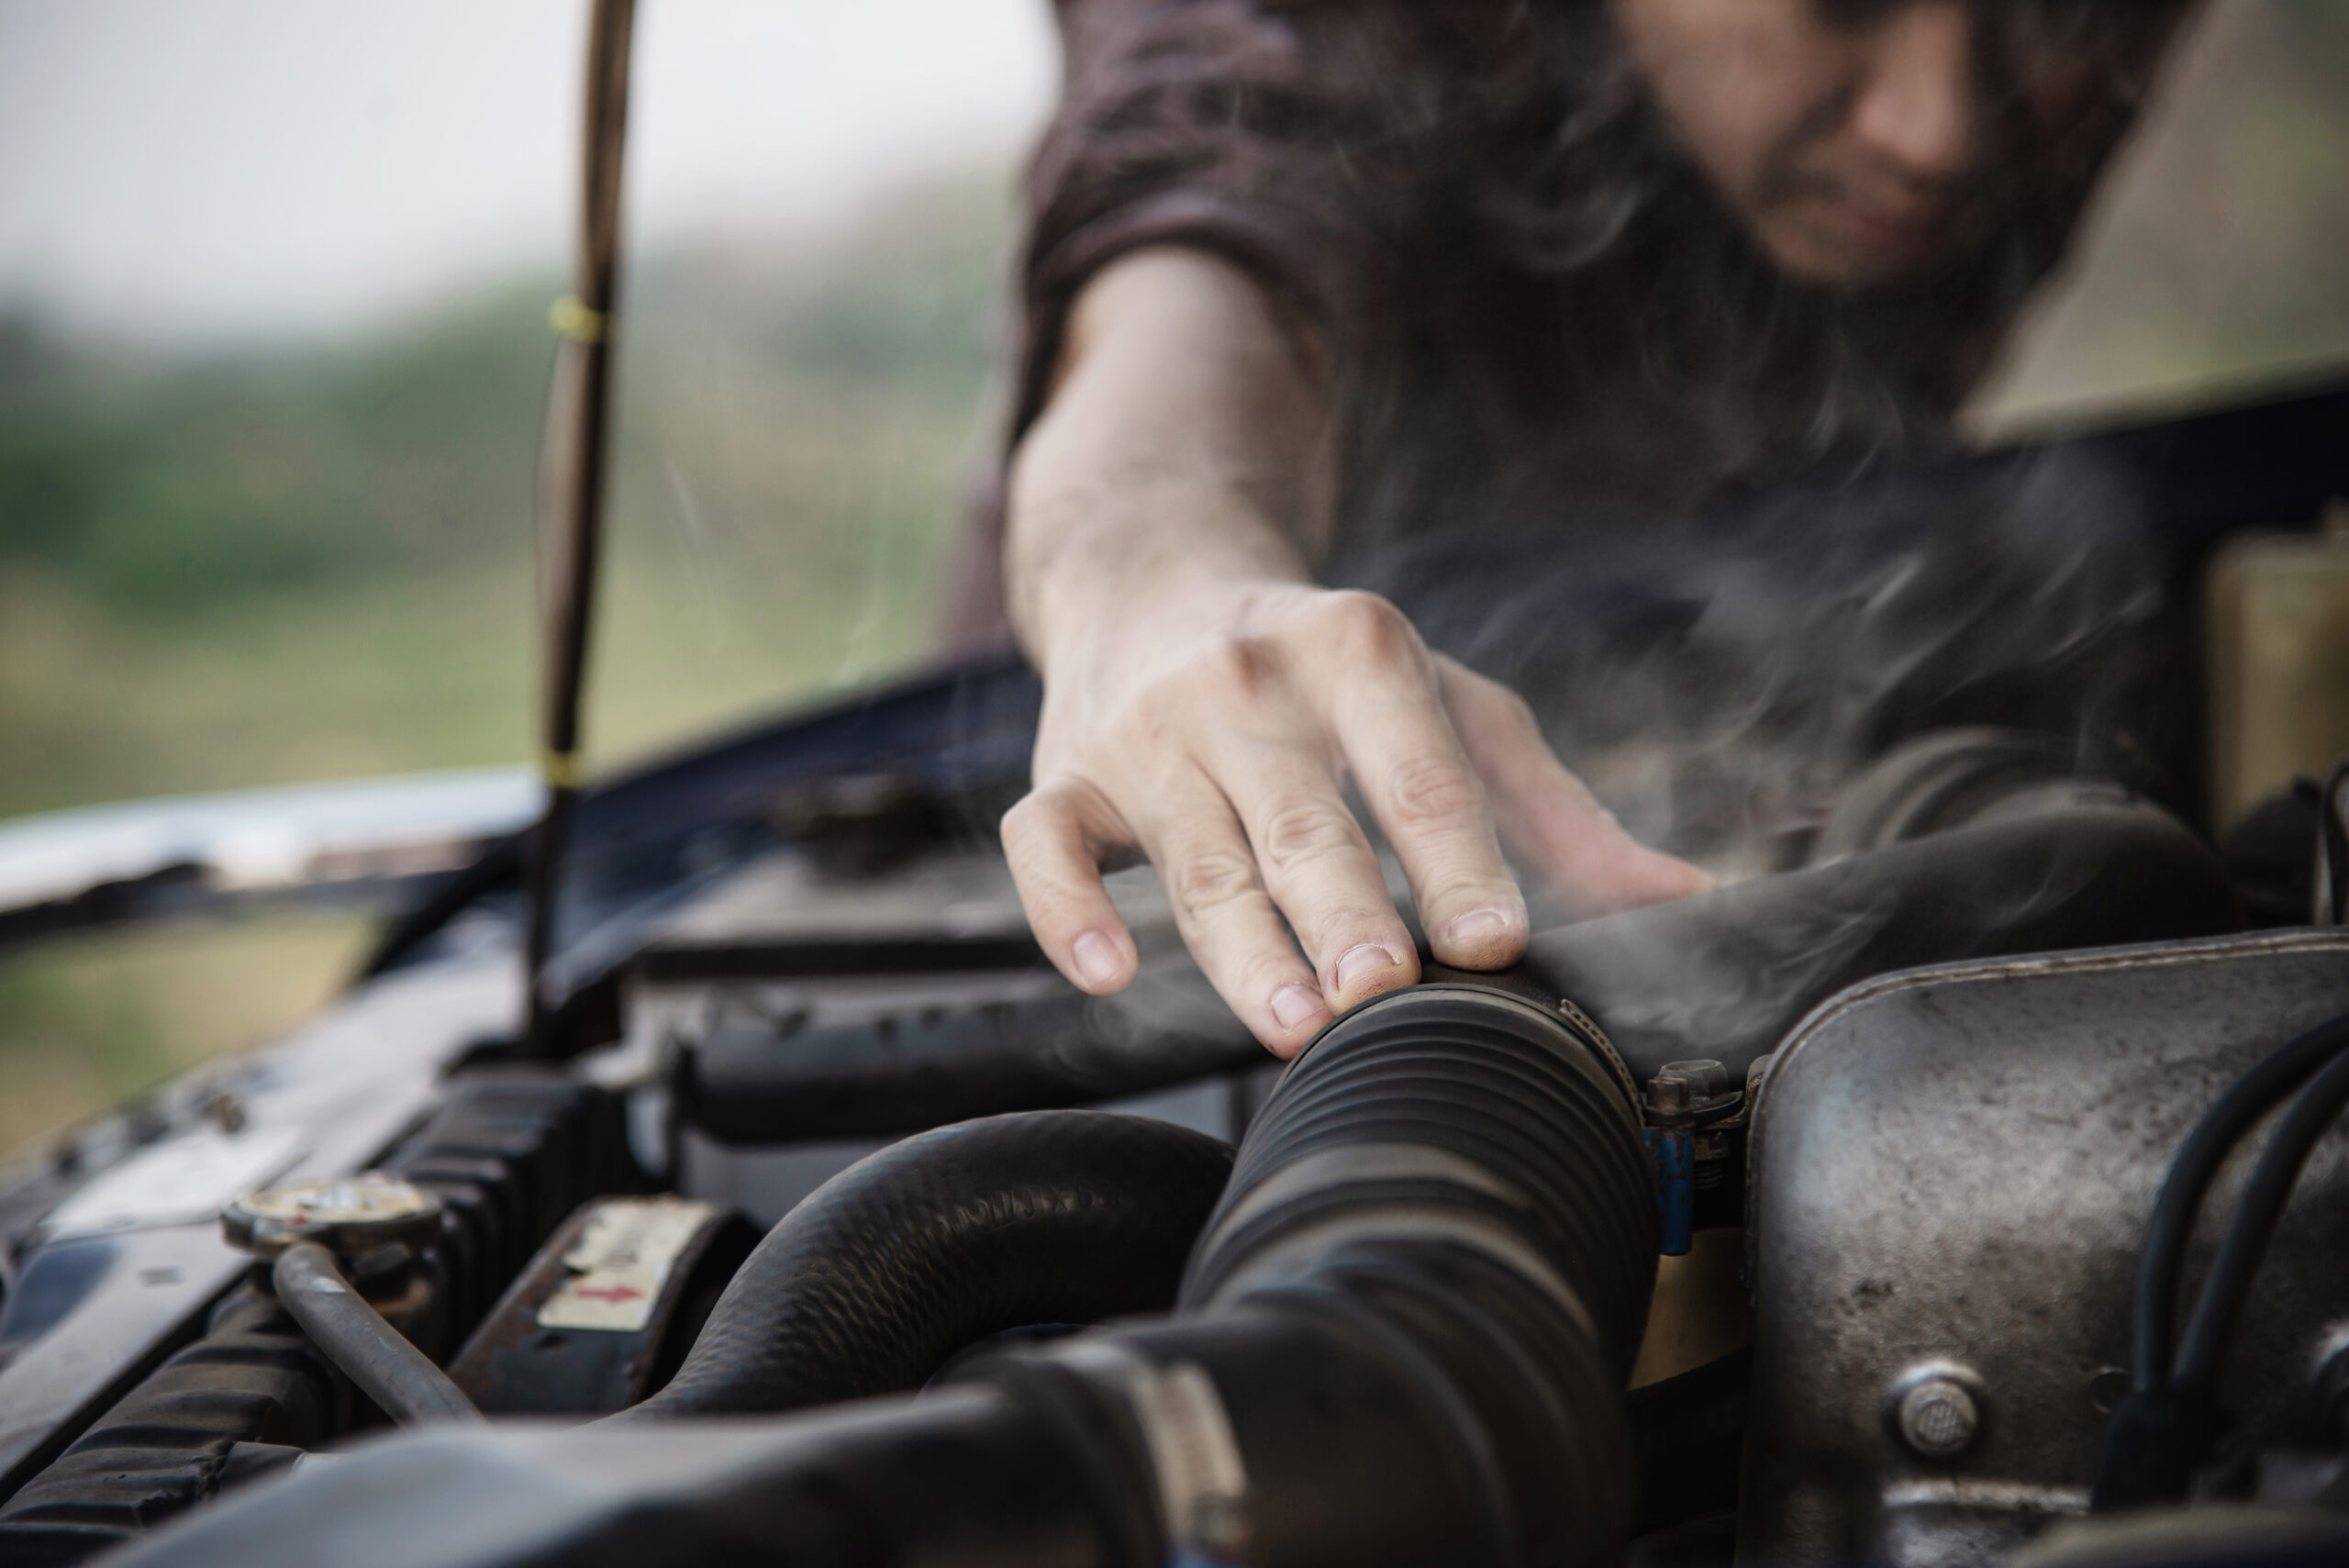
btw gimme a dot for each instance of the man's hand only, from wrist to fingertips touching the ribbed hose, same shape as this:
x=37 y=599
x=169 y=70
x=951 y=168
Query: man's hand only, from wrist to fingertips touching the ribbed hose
x=1225 y=759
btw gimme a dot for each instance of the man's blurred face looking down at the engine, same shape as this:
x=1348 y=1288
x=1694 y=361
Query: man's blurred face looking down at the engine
x=1864 y=140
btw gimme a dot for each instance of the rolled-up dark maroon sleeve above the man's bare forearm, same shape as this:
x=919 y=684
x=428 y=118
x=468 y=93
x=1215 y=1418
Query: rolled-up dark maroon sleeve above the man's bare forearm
x=1300 y=140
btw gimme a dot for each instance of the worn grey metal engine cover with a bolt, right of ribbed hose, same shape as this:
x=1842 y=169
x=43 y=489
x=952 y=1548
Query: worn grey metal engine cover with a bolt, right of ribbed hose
x=1951 y=1177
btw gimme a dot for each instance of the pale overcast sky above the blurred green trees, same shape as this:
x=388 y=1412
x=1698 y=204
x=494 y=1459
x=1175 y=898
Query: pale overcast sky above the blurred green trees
x=201 y=170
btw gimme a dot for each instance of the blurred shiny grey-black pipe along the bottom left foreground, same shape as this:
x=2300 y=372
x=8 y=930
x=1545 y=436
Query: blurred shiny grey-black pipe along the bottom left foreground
x=962 y=1480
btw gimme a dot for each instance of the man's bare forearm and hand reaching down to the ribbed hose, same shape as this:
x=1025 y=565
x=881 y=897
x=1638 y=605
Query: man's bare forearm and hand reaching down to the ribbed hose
x=1209 y=705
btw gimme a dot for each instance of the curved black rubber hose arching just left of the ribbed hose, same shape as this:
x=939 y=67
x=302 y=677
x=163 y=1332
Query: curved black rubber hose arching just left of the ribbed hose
x=936 y=1243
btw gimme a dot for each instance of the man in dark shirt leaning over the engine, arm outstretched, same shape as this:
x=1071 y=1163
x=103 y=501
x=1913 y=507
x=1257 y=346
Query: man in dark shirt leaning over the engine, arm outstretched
x=1310 y=276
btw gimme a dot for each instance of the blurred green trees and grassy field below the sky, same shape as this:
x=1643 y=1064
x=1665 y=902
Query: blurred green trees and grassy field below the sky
x=311 y=562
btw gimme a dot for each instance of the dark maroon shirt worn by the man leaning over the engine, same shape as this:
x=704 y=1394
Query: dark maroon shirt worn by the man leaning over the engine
x=1530 y=302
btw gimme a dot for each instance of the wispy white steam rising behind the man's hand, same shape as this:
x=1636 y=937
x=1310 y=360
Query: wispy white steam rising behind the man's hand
x=1718 y=680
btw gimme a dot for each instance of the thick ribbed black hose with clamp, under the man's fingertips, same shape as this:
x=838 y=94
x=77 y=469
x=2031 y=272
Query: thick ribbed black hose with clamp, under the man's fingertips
x=1406 y=1332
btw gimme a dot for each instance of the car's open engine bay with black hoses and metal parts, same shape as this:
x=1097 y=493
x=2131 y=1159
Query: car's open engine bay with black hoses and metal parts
x=1956 y=1184
